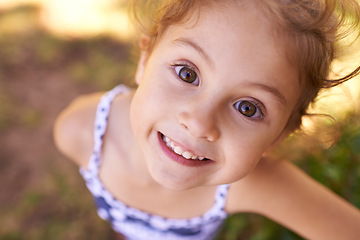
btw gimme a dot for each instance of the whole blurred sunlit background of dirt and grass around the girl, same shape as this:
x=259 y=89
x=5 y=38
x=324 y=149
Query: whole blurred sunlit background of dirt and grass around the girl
x=54 y=50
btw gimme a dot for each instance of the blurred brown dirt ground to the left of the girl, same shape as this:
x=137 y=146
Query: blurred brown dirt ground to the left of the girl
x=42 y=195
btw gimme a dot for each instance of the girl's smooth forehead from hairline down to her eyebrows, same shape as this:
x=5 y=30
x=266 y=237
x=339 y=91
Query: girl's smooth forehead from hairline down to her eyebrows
x=237 y=41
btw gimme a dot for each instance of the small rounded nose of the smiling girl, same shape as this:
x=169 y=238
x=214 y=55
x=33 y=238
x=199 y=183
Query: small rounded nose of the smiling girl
x=200 y=121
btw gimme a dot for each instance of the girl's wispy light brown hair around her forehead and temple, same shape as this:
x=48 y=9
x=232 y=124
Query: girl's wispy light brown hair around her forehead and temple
x=312 y=30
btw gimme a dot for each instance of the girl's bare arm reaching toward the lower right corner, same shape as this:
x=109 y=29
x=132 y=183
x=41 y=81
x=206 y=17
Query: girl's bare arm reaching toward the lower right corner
x=282 y=192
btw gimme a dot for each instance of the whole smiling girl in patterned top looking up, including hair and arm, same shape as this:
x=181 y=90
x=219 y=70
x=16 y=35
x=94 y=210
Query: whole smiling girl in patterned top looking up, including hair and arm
x=220 y=83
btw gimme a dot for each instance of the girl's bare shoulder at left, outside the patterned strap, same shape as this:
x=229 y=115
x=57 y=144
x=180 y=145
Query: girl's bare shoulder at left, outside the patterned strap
x=73 y=128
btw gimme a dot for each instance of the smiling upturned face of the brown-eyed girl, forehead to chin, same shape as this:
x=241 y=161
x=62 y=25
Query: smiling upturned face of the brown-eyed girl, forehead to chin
x=220 y=88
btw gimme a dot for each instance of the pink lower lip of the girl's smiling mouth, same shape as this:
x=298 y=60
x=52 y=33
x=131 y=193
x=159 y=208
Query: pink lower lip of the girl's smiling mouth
x=180 y=159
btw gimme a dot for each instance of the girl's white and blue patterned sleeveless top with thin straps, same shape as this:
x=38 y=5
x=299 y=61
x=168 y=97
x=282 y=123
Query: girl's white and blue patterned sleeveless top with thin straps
x=133 y=223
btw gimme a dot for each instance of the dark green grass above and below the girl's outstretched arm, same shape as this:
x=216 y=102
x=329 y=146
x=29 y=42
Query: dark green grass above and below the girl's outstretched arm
x=338 y=168
